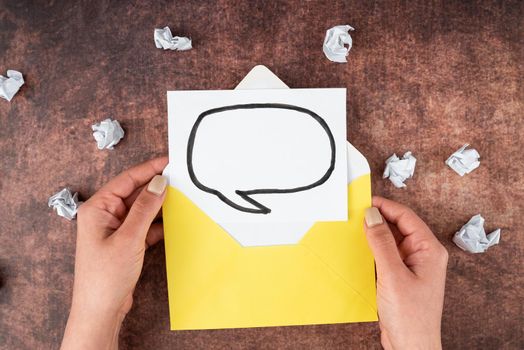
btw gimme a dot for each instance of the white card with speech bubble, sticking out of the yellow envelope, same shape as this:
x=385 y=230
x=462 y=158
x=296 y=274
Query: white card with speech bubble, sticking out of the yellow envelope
x=284 y=151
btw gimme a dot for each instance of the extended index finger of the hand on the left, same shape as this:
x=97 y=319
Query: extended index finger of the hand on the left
x=127 y=182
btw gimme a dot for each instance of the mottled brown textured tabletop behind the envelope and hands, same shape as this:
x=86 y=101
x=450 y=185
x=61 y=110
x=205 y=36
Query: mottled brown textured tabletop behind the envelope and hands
x=421 y=77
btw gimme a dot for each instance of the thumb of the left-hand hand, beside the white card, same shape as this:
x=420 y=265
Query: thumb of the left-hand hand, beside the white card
x=145 y=208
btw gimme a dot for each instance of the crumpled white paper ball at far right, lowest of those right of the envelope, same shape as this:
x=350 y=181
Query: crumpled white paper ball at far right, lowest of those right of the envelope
x=473 y=238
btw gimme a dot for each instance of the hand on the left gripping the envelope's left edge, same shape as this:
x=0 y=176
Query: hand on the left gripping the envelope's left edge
x=115 y=227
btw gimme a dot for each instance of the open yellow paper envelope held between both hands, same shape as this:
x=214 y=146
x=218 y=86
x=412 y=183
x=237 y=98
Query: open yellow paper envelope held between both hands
x=214 y=282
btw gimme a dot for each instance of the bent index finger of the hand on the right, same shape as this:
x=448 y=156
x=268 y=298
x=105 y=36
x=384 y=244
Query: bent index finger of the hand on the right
x=406 y=220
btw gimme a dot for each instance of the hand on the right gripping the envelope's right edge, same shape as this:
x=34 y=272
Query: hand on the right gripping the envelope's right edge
x=411 y=273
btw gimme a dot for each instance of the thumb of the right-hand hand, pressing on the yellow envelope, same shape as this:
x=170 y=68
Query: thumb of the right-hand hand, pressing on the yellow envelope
x=382 y=243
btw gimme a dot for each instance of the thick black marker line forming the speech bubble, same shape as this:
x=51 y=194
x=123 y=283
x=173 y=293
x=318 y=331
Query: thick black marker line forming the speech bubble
x=245 y=194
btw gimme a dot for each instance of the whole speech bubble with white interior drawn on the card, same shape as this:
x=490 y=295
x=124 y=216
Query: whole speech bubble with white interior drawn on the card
x=244 y=147
